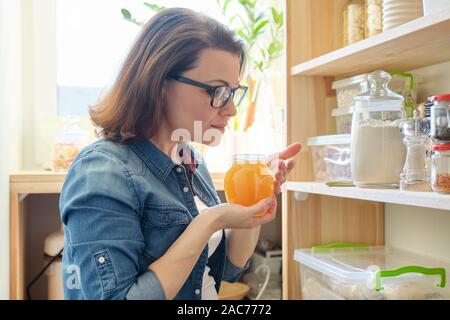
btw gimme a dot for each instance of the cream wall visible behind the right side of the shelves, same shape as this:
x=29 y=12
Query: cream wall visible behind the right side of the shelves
x=419 y=230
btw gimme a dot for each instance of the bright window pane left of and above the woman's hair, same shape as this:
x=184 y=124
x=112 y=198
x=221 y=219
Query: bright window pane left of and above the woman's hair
x=92 y=40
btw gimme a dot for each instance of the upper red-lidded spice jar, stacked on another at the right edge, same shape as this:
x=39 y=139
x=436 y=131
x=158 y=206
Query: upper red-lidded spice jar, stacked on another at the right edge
x=440 y=118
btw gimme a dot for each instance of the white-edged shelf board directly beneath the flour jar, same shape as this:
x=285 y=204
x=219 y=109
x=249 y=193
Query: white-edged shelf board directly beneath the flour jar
x=418 y=199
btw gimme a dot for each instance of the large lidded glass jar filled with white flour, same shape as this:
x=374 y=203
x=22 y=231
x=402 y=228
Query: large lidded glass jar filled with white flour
x=378 y=151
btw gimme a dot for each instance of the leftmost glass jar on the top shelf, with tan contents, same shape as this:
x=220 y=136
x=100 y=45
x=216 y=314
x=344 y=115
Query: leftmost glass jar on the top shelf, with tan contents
x=353 y=21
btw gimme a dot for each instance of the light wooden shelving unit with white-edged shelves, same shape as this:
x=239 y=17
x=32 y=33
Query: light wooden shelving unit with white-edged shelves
x=314 y=58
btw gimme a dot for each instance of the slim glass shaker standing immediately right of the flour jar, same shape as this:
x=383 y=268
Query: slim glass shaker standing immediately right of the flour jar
x=417 y=169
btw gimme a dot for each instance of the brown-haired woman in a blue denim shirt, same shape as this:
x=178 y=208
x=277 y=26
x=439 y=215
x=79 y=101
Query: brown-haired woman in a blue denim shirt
x=140 y=220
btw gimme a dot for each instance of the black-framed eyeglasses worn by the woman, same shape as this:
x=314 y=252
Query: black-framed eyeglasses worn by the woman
x=220 y=95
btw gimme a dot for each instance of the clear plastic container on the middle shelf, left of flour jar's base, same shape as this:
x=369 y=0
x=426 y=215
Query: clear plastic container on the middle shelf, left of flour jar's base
x=331 y=158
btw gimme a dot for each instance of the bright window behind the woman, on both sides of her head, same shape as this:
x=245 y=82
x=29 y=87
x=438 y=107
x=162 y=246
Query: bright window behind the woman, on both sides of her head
x=92 y=41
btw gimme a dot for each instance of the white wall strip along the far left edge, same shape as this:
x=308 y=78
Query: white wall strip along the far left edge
x=10 y=121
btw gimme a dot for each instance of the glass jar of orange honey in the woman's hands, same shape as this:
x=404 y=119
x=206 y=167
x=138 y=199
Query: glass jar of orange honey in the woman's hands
x=249 y=180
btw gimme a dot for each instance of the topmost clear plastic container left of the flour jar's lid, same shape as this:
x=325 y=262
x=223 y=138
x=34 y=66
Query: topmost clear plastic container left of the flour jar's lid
x=347 y=89
